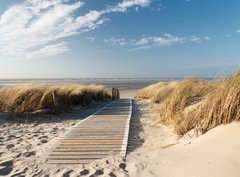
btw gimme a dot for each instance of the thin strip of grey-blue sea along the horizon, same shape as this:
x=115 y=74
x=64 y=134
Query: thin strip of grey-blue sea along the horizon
x=120 y=83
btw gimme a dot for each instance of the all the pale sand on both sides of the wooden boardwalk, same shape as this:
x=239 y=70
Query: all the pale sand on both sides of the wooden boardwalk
x=153 y=150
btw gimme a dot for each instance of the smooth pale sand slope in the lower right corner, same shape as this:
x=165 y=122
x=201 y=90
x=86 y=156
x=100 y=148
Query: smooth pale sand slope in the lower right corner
x=215 y=153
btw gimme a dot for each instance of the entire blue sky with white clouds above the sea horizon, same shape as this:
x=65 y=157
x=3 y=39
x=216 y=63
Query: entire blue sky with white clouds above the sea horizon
x=119 y=38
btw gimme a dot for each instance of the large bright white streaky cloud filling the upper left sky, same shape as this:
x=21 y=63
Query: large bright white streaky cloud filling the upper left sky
x=35 y=24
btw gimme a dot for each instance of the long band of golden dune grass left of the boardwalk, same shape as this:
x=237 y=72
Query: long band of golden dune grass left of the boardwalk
x=29 y=98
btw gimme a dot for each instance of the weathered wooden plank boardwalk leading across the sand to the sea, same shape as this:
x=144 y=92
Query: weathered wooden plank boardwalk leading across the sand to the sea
x=101 y=134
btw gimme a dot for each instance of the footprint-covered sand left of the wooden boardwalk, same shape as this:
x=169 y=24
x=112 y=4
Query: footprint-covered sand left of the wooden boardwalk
x=23 y=141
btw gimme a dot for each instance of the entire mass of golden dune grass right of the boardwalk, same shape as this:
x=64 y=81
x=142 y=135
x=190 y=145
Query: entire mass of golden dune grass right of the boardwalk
x=196 y=104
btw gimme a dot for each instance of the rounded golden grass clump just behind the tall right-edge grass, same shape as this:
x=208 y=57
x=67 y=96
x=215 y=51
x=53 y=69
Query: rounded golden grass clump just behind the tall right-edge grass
x=188 y=92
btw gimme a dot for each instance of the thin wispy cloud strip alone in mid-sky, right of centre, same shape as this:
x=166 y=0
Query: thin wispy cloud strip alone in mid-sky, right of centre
x=146 y=41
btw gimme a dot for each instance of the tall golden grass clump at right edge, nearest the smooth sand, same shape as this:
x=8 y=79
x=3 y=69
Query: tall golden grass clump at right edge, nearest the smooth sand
x=221 y=107
